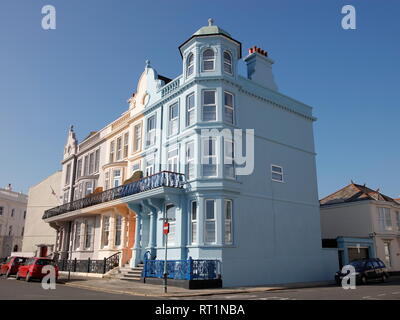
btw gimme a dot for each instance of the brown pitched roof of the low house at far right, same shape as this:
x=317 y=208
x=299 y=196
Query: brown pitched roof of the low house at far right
x=355 y=192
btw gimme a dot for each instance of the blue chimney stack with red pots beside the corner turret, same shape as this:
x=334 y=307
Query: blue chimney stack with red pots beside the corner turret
x=259 y=68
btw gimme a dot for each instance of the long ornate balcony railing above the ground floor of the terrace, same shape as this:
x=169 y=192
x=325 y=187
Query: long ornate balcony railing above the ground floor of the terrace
x=161 y=179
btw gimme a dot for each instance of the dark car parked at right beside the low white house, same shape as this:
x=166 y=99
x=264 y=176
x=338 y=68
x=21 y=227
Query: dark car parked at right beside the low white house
x=366 y=270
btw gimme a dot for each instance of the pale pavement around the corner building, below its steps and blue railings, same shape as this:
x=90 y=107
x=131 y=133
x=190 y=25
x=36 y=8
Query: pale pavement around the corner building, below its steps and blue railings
x=141 y=289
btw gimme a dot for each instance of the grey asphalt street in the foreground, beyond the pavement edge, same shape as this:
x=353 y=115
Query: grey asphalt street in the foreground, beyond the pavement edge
x=21 y=290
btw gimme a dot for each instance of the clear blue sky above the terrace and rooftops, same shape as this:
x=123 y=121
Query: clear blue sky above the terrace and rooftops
x=83 y=72
